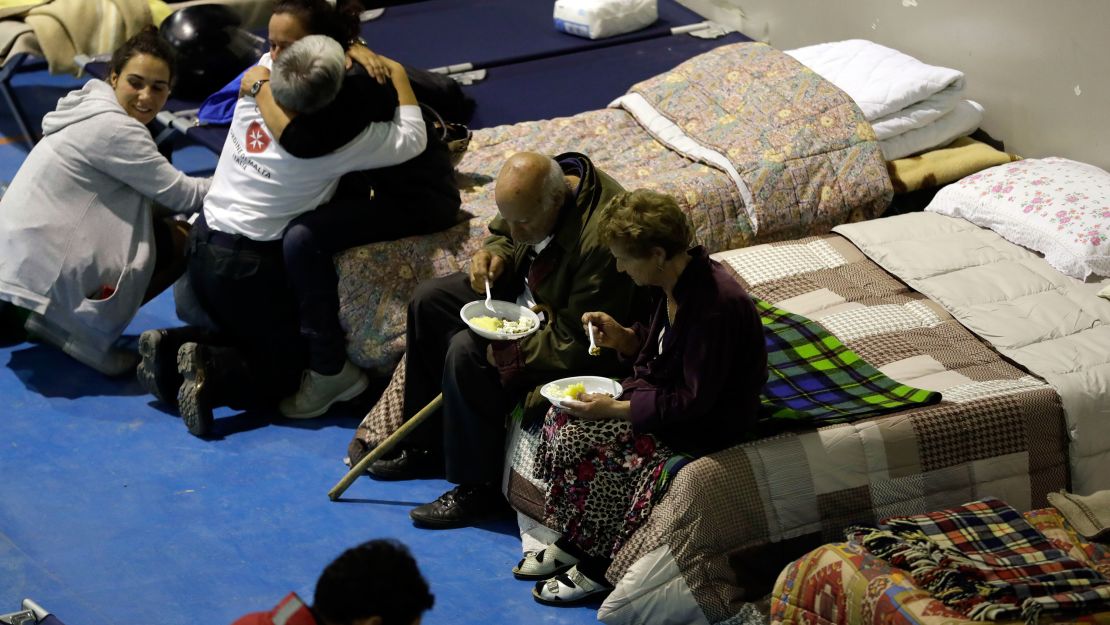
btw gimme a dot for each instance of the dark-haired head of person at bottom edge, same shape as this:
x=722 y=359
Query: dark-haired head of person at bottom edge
x=378 y=579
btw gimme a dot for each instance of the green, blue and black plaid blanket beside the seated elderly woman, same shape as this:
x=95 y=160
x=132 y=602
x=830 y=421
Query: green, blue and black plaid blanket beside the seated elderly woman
x=815 y=378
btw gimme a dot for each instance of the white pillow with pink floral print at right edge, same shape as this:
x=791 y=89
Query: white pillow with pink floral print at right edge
x=1056 y=207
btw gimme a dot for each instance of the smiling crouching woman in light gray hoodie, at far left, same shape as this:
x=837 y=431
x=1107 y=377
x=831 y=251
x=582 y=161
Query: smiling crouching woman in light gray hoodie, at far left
x=77 y=233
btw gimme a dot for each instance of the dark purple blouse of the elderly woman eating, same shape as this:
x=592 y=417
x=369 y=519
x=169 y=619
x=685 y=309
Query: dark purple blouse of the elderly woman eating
x=702 y=394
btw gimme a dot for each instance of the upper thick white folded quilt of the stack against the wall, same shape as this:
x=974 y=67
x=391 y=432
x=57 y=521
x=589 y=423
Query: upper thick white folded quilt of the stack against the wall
x=881 y=80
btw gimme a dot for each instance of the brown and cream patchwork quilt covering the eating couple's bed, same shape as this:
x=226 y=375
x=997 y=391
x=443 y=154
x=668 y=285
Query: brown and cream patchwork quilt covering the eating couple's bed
x=732 y=520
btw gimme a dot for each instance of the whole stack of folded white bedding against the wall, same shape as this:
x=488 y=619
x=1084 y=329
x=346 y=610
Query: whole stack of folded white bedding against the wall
x=913 y=106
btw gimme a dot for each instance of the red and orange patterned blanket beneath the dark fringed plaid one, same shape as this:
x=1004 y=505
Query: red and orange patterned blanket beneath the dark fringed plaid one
x=844 y=584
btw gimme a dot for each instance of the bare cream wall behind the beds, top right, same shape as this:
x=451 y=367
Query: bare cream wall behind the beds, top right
x=1041 y=68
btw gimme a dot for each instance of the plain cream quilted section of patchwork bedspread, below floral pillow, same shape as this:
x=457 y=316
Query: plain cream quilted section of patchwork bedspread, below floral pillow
x=1055 y=327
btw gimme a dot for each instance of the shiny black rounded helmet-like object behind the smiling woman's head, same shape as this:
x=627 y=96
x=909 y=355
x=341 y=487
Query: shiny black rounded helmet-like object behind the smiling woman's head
x=211 y=48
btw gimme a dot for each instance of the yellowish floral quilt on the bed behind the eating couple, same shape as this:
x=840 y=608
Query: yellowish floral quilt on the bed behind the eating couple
x=801 y=148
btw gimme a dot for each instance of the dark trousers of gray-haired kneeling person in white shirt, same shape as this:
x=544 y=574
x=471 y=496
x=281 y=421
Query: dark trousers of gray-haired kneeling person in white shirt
x=243 y=286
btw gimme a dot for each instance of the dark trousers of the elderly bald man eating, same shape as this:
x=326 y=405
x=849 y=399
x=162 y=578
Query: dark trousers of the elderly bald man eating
x=443 y=355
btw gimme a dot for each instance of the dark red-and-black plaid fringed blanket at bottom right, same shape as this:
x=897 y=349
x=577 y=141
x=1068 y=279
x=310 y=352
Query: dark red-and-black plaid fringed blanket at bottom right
x=984 y=560
